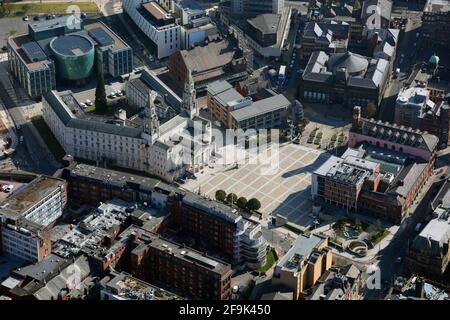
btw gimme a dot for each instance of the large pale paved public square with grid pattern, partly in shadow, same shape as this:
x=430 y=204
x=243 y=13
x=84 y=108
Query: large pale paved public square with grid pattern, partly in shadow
x=282 y=189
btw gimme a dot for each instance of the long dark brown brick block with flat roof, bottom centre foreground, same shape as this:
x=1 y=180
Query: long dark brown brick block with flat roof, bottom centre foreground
x=192 y=274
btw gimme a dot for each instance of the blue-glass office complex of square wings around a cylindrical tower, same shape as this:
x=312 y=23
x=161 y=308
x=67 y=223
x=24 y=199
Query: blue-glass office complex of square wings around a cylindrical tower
x=55 y=49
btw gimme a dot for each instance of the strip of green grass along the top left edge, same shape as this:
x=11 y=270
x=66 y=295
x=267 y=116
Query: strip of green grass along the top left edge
x=53 y=7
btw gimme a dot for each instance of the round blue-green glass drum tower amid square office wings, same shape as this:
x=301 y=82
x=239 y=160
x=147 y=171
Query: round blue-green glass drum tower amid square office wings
x=74 y=56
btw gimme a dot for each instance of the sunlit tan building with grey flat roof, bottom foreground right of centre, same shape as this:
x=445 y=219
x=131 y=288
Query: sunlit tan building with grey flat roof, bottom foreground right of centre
x=303 y=265
